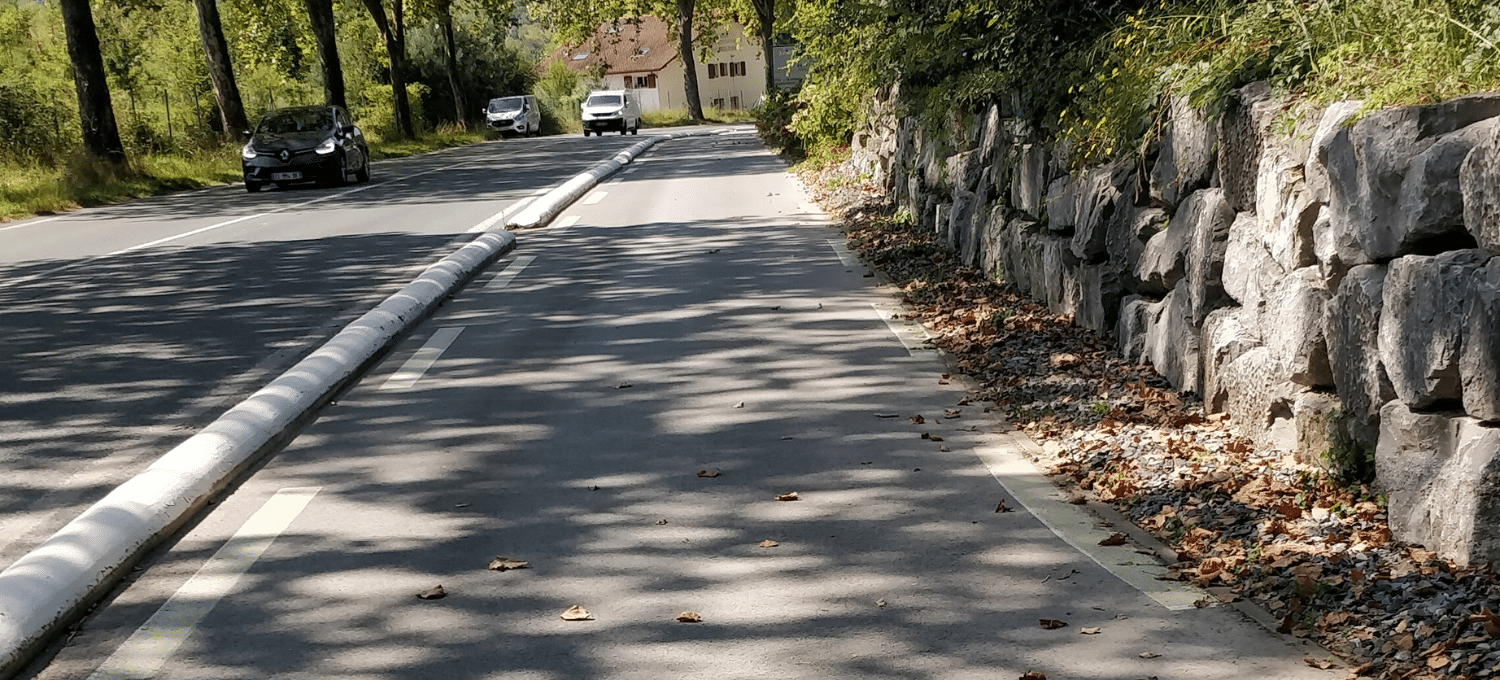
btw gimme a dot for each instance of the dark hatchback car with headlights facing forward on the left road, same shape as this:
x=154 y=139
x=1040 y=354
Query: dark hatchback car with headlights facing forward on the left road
x=305 y=145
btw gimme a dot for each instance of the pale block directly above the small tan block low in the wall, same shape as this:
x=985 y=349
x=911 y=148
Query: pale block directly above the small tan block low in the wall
x=1292 y=328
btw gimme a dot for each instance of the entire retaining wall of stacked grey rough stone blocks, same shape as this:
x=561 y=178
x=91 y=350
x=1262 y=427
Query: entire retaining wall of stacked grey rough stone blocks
x=1328 y=281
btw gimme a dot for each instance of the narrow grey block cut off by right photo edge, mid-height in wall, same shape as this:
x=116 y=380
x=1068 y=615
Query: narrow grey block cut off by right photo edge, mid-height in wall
x=1480 y=358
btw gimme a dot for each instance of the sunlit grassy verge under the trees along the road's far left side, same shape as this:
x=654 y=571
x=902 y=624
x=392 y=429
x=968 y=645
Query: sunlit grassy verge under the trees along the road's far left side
x=79 y=181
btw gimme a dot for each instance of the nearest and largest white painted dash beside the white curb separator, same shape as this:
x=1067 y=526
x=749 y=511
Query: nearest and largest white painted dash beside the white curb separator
x=149 y=648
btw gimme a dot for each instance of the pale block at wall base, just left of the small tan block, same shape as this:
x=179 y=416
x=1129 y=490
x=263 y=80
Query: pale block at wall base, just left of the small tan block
x=1259 y=400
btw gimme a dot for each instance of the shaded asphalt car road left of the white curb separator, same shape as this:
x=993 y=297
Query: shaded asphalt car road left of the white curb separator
x=128 y=328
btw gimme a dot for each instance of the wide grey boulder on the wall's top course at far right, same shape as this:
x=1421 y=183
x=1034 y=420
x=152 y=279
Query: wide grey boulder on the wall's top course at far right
x=1393 y=178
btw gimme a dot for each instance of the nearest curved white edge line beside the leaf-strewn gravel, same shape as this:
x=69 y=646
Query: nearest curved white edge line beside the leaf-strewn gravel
x=1078 y=528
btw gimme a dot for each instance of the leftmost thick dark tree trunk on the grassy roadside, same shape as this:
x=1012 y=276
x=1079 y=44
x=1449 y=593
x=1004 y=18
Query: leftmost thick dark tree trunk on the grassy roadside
x=95 y=112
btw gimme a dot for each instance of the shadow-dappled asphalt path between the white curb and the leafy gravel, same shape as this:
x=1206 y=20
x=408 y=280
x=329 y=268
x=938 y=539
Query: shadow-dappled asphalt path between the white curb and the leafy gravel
x=620 y=403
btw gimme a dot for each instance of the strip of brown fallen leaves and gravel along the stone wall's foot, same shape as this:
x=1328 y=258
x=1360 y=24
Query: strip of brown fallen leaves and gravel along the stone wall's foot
x=1315 y=553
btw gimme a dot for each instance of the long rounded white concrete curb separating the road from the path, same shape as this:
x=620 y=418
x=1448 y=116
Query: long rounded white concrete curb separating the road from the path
x=56 y=583
